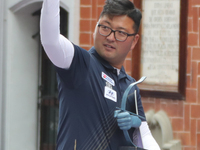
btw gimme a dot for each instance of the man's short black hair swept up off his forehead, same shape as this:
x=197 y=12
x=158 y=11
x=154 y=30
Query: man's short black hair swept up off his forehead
x=122 y=7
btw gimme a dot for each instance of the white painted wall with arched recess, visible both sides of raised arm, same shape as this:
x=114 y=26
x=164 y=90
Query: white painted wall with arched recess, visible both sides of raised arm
x=21 y=70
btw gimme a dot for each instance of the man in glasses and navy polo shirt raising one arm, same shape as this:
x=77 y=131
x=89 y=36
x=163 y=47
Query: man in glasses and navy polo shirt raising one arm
x=91 y=83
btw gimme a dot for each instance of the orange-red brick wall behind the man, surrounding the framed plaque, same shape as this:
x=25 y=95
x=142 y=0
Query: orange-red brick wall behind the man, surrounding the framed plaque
x=184 y=115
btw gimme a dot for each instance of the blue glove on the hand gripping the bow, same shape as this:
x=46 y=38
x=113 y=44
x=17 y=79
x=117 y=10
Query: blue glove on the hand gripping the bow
x=126 y=121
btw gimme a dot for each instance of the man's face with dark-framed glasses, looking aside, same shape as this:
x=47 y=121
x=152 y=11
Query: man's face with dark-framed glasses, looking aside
x=108 y=47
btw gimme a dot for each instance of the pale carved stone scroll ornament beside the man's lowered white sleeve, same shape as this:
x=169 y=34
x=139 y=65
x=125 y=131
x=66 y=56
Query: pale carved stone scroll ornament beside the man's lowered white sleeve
x=161 y=130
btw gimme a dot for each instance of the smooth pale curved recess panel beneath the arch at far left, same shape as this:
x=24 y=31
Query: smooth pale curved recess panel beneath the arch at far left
x=21 y=82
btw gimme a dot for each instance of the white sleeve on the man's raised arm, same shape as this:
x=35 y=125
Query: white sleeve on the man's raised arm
x=58 y=48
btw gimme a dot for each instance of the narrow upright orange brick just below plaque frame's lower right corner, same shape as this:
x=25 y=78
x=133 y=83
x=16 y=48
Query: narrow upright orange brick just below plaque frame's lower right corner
x=186 y=118
